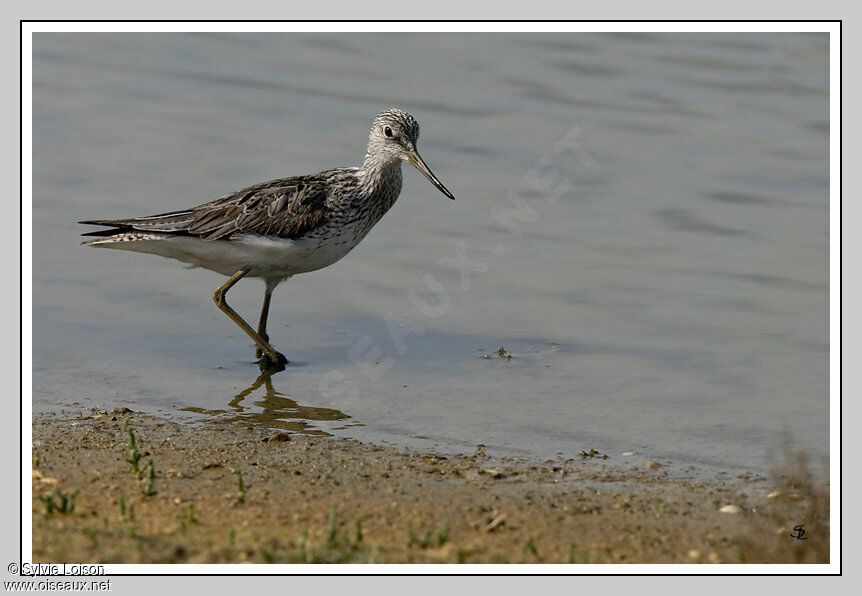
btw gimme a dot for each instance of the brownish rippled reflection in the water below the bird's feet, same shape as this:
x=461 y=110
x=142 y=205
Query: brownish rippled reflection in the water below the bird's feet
x=273 y=410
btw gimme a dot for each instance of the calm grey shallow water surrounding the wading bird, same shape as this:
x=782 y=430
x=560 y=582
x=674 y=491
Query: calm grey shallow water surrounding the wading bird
x=641 y=222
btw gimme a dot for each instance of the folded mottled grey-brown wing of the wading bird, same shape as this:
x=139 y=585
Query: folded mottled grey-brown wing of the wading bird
x=287 y=208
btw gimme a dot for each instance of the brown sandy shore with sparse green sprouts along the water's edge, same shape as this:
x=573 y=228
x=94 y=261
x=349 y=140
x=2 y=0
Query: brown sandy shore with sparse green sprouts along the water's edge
x=312 y=499
